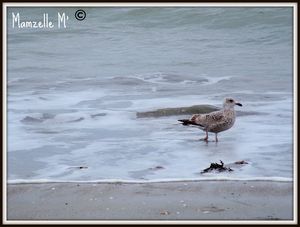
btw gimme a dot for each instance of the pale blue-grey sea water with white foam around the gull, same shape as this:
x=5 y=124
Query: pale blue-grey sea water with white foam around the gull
x=73 y=93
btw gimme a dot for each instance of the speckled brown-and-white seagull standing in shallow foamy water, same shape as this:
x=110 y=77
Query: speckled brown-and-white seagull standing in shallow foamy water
x=216 y=121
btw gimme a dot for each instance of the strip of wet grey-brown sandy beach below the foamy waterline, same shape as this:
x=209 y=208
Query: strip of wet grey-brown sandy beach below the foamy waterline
x=197 y=200
